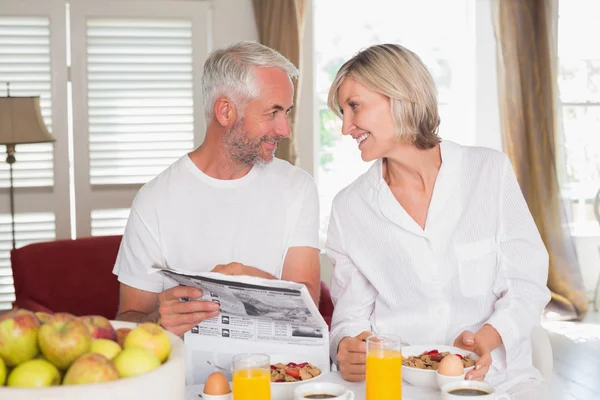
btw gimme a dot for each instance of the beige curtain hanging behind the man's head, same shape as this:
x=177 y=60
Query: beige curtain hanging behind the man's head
x=280 y=26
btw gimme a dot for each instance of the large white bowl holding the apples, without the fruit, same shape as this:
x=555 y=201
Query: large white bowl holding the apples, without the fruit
x=165 y=382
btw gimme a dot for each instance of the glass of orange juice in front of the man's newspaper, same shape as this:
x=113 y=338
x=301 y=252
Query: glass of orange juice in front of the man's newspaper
x=251 y=377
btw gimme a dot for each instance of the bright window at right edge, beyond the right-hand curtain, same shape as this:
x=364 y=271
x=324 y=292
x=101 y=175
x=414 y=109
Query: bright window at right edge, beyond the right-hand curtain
x=579 y=84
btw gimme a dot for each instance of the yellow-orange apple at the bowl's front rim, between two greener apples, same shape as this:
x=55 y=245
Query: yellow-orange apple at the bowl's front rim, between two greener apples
x=90 y=368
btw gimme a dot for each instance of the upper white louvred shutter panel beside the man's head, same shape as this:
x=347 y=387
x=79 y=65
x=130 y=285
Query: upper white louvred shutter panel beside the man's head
x=140 y=97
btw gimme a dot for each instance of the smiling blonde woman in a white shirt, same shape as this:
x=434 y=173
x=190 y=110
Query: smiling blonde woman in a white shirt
x=435 y=242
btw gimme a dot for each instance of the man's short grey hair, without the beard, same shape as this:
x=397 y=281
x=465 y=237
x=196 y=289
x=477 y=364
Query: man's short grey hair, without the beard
x=228 y=72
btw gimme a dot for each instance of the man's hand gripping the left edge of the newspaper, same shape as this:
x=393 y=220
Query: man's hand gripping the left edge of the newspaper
x=179 y=317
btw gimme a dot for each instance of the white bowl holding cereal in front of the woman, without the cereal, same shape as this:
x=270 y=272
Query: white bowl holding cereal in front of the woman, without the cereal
x=426 y=378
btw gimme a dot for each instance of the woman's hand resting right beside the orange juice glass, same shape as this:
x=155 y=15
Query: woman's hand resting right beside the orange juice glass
x=352 y=357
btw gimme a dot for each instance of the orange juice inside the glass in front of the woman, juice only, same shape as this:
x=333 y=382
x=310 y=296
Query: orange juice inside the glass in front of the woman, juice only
x=384 y=375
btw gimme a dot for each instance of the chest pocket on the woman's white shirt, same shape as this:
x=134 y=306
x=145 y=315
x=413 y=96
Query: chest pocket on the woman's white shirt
x=477 y=265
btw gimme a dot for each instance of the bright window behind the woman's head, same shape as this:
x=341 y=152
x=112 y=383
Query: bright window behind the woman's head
x=440 y=38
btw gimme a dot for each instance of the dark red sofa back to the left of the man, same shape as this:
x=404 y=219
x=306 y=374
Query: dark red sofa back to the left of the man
x=72 y=276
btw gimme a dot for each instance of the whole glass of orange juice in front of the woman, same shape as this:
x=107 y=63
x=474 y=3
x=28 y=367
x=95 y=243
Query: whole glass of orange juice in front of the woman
x=384 y=368
